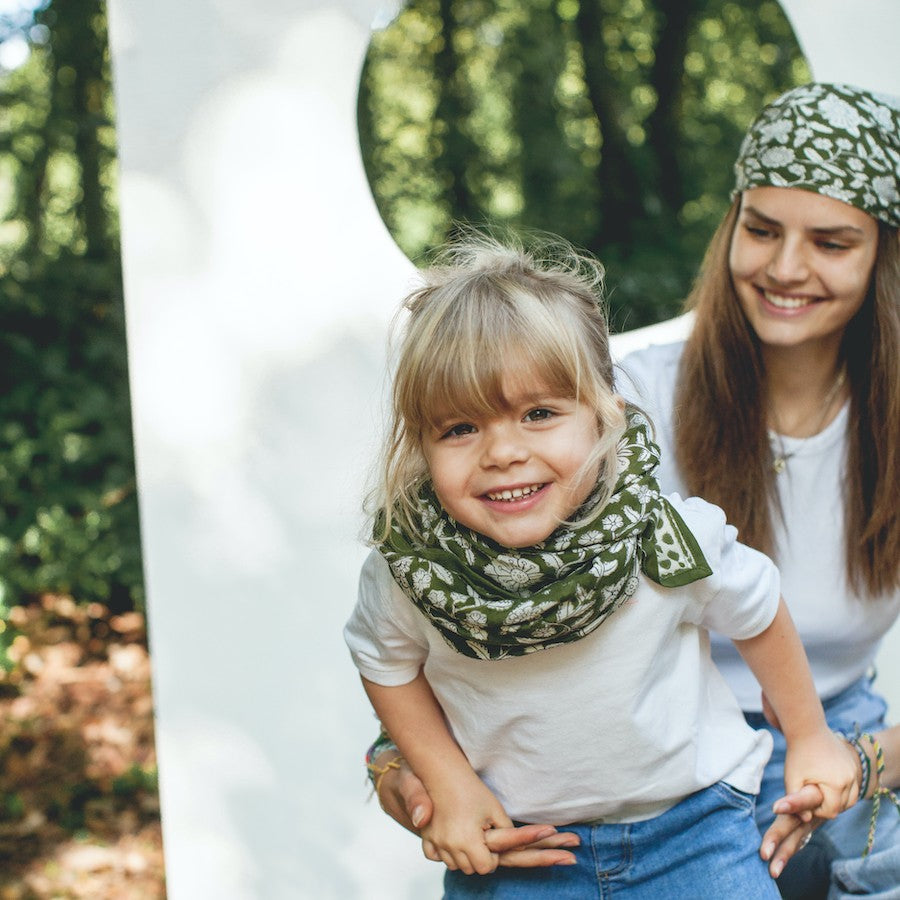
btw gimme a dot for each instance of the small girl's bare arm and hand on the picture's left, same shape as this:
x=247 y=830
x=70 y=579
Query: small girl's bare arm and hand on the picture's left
x=464 y=808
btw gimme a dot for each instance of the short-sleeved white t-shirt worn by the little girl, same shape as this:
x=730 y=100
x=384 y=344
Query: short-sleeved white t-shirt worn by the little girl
x=617 y=726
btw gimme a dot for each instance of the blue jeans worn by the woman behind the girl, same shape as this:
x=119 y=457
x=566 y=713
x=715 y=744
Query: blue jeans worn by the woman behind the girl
x=831 y=866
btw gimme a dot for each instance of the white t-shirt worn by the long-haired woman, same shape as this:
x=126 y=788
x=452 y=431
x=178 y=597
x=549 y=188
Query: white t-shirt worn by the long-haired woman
x=840 y=629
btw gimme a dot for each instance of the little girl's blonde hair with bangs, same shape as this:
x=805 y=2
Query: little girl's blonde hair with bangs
x=487 y=308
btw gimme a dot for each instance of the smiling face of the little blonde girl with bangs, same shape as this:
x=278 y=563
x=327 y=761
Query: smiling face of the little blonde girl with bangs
x=513 y=475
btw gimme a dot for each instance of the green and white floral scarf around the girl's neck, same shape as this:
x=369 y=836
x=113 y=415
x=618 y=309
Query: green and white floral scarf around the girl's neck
x=490 y=601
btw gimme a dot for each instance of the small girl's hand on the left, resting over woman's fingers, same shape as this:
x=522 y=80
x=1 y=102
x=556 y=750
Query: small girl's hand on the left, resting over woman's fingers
x=463 y=811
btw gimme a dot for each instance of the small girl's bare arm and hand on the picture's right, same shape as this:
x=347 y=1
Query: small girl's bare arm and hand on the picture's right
x=815 y=756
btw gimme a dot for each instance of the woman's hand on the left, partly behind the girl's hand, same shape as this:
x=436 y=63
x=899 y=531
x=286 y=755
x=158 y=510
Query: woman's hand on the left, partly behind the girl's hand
x=404 y=798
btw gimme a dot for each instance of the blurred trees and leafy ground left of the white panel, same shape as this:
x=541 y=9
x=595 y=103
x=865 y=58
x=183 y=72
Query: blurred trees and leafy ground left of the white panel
x=79 y=809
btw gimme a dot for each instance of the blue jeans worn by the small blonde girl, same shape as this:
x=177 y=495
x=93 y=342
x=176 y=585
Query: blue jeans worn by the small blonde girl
x=704 y=848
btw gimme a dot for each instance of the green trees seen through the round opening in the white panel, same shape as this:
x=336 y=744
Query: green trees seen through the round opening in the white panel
x=614 y=123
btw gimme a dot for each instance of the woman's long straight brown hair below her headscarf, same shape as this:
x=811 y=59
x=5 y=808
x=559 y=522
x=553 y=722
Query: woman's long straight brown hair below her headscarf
x=721 y=441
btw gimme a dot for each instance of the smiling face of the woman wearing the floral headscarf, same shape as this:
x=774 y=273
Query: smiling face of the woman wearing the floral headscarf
x=801 y=264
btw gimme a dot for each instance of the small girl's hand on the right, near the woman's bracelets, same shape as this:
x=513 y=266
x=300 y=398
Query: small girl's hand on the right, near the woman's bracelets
x=828 y=762
